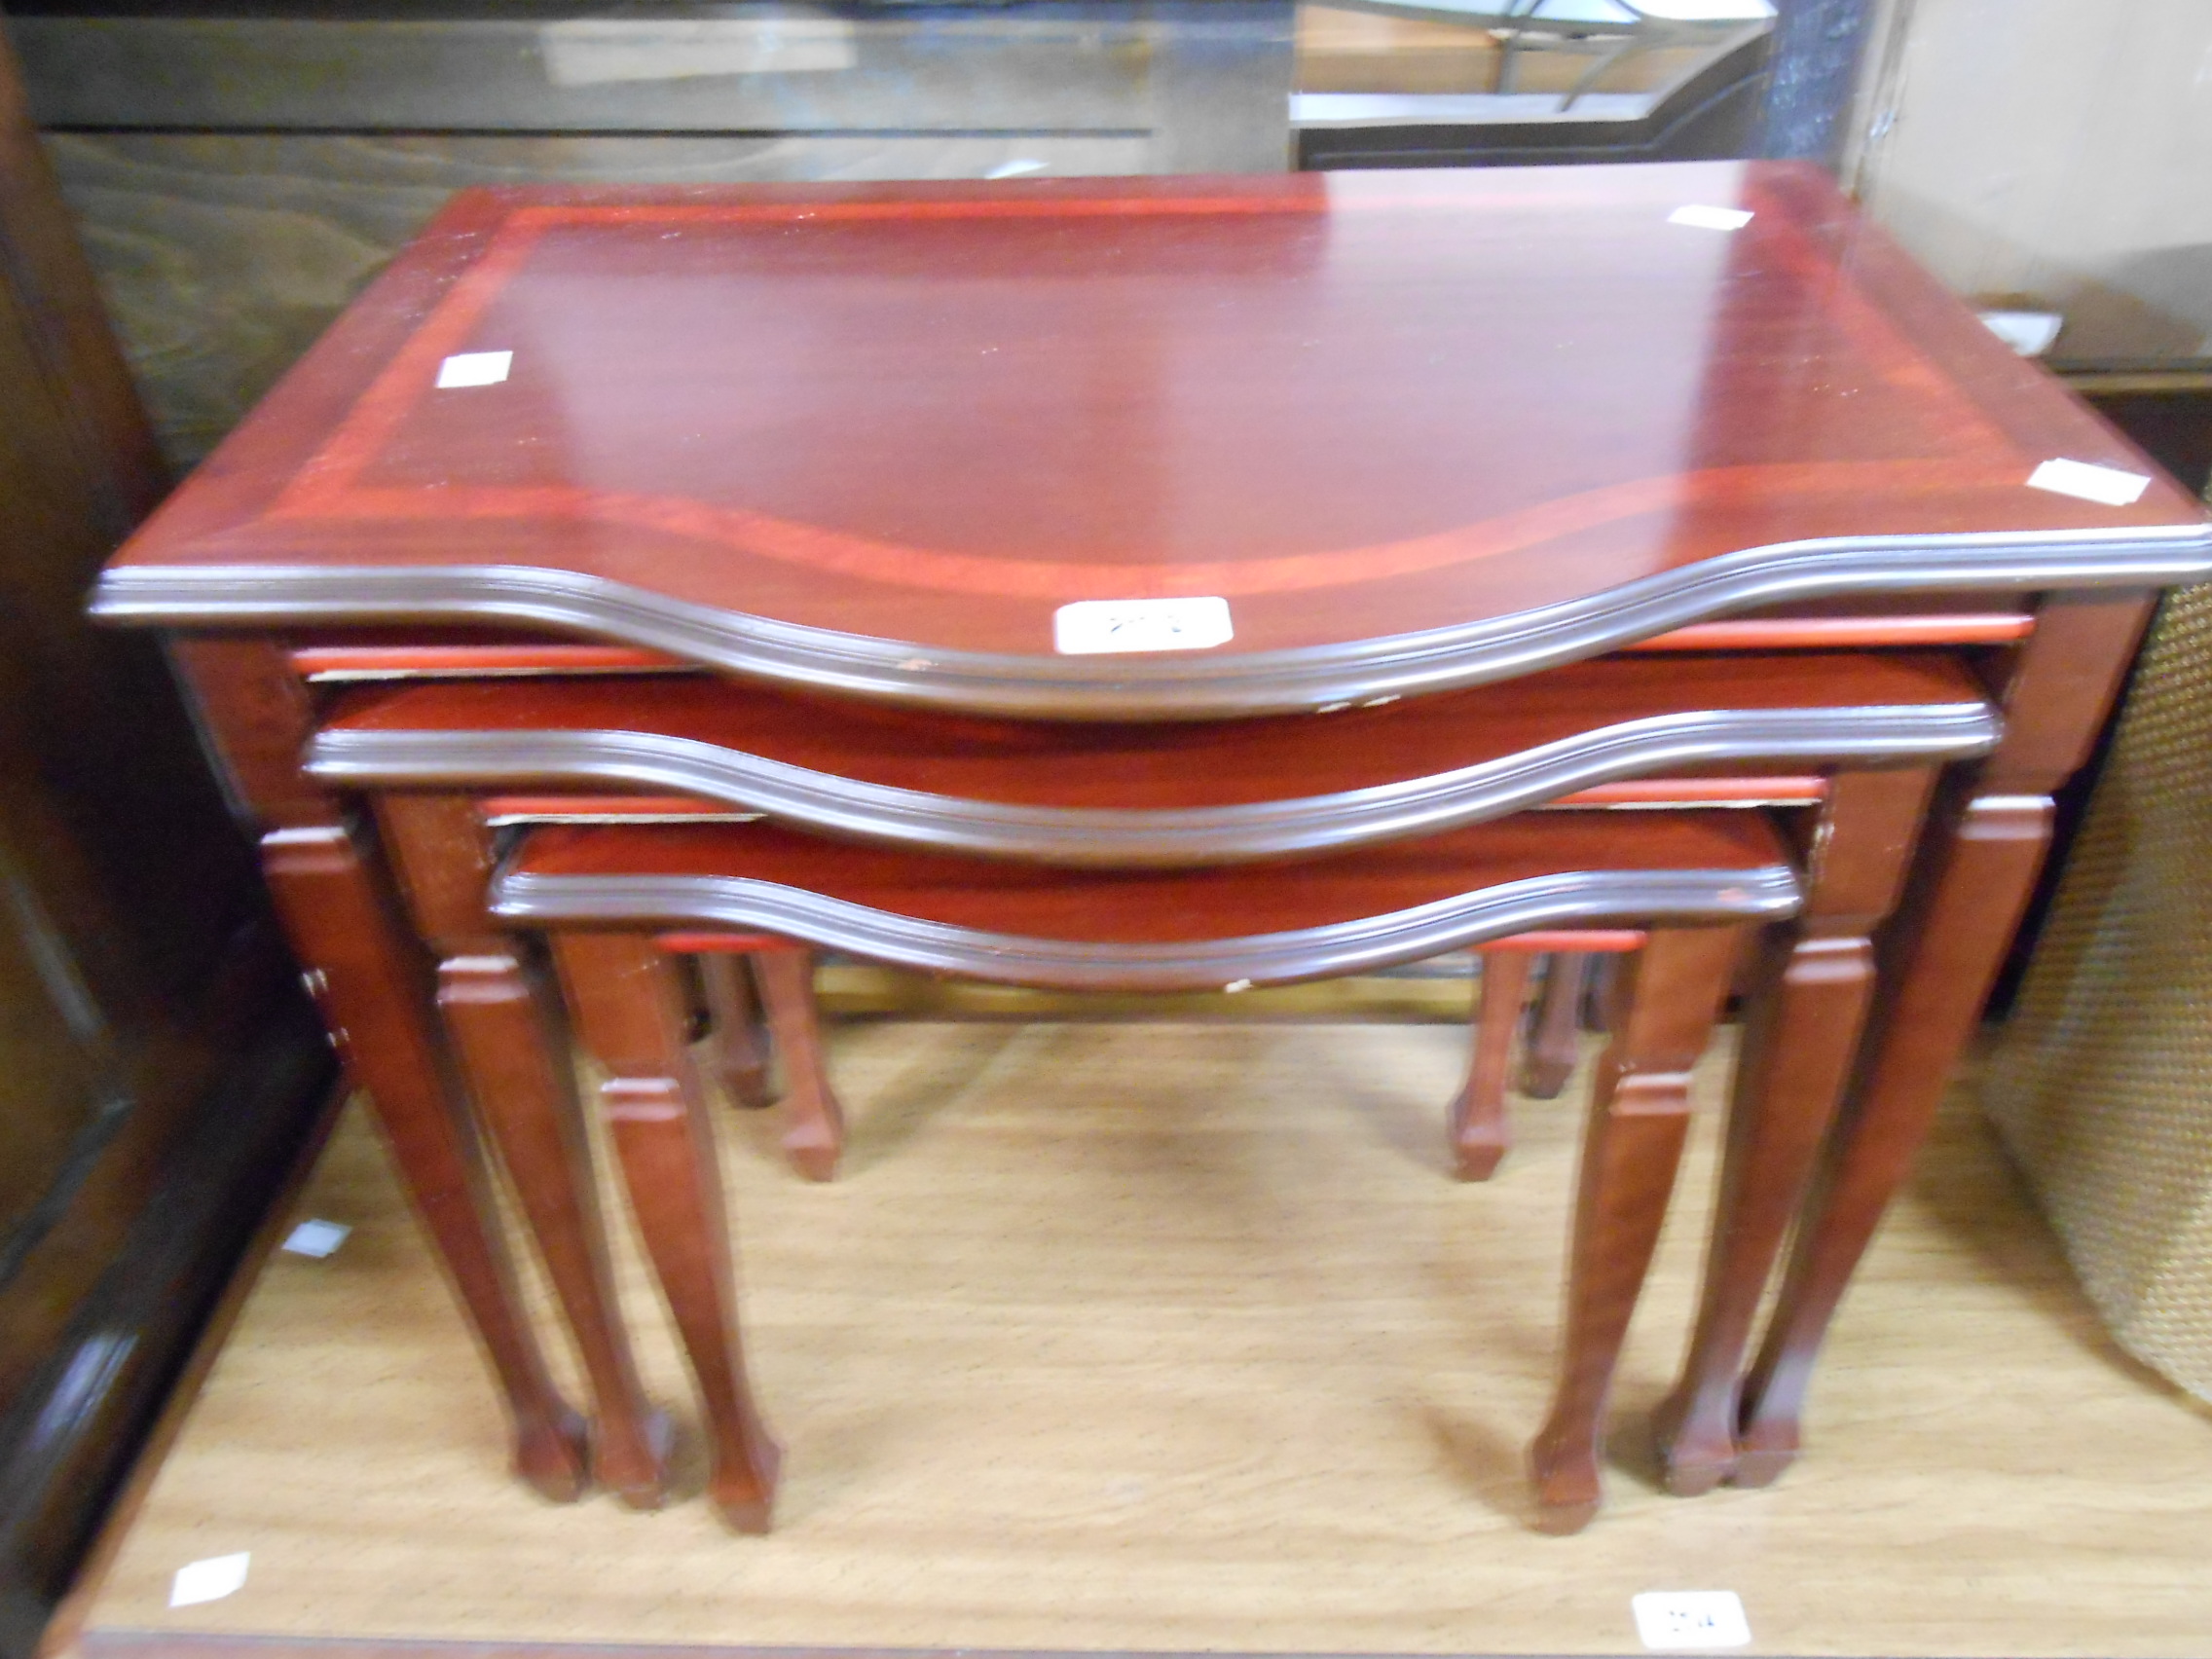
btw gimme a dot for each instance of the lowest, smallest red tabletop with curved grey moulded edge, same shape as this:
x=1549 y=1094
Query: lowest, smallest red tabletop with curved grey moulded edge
x=1158 y=930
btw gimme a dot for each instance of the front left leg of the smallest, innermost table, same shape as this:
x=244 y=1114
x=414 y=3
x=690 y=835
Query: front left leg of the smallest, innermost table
x=629 y=1012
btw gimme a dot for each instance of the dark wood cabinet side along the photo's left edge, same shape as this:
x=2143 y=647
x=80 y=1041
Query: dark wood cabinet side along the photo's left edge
x=158 y=1076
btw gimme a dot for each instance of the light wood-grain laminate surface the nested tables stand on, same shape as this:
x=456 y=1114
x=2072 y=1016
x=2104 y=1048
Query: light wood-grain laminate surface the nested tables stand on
x=1176 y=1337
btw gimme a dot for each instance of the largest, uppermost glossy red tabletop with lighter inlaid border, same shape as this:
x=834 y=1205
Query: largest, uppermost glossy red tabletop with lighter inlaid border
x=1282 y=441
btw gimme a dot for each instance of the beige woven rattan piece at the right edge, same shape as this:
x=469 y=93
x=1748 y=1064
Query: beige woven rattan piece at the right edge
x=2103 y=1083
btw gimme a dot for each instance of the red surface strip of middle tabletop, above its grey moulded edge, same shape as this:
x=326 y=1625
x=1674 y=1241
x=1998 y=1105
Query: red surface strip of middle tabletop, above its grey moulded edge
x=1156 y=766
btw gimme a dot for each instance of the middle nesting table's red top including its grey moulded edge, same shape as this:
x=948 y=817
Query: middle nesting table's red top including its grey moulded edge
x=1167 y=793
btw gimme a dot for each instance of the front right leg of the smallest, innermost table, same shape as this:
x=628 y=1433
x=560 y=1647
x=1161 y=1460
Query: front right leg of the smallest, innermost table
x=1667 y=1001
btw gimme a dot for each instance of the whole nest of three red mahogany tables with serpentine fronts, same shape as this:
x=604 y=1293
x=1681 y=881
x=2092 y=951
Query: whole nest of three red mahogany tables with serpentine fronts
x=851 y=450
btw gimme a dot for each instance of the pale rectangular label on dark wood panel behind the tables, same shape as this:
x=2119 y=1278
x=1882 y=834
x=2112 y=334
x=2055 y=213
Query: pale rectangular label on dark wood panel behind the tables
x=594 y=52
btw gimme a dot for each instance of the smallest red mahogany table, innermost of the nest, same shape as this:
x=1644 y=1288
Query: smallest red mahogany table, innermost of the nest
x=1687 y=877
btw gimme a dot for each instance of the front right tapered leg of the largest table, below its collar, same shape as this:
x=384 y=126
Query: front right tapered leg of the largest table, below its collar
x=1979 y=877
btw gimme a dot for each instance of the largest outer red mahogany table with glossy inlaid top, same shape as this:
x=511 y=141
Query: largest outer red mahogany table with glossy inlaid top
x=1390 y=437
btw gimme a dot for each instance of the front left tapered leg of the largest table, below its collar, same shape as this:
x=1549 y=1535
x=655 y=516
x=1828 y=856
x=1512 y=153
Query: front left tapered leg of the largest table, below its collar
x=371 y=988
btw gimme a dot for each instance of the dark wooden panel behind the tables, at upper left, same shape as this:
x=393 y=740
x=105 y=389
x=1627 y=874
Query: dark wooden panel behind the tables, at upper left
x=240 y=178
